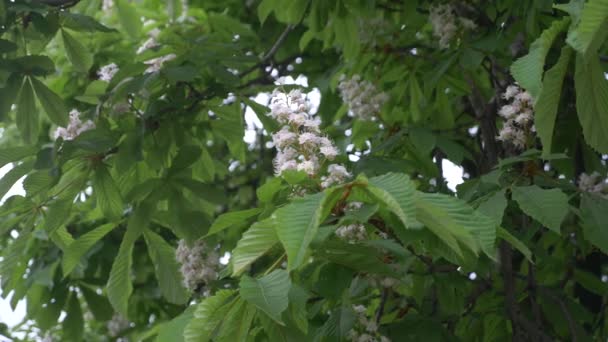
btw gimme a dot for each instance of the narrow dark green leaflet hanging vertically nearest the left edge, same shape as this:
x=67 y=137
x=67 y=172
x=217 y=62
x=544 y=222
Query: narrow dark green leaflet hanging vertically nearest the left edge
x=27 y=115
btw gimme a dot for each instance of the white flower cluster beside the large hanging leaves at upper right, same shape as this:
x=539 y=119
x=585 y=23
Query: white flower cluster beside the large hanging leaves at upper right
x=518 y=116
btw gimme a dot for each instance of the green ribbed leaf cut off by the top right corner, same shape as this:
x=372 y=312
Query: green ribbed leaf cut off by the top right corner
x=591 y=24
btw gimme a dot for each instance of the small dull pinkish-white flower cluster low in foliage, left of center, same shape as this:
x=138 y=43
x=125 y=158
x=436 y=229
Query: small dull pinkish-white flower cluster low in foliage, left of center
x=199 y=264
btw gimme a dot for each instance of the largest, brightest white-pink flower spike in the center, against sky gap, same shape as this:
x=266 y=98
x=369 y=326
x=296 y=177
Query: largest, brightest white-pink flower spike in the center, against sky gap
x=300 y=145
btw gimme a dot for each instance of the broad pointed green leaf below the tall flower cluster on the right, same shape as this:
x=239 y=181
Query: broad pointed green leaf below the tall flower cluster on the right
x=549 y=207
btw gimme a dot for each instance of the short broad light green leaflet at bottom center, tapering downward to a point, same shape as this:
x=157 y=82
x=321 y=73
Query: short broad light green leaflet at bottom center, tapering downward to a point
x=269 y=293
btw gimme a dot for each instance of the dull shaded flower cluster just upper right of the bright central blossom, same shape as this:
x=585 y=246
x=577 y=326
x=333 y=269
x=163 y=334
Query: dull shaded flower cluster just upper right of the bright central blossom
x=364 y=101
